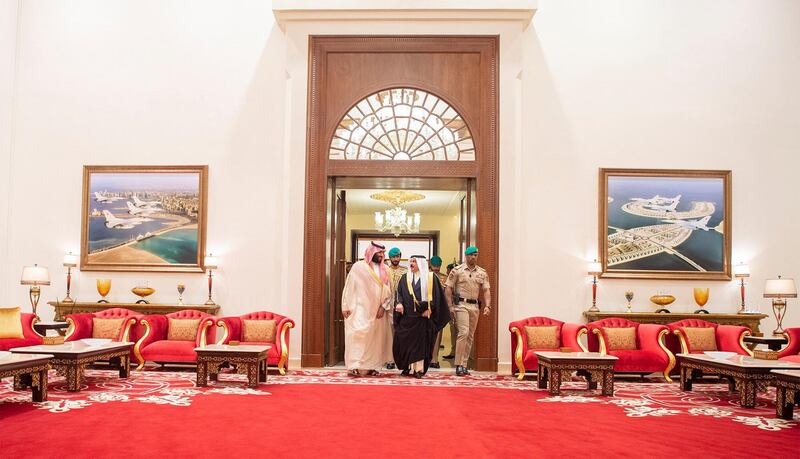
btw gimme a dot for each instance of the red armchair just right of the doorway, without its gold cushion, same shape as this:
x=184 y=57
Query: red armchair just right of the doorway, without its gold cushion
x=525 y=356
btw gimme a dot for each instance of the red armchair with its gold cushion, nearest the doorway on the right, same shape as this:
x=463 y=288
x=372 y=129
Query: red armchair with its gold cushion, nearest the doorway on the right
x=523 y=348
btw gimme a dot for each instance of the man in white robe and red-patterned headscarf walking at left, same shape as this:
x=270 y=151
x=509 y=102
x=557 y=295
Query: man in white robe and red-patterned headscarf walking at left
x=365 y=300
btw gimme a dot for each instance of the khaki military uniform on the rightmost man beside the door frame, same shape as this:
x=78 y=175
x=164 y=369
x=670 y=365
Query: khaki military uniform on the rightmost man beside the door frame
x=467 y=284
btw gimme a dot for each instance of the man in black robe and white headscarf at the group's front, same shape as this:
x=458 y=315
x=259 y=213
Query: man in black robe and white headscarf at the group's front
x=420 y=312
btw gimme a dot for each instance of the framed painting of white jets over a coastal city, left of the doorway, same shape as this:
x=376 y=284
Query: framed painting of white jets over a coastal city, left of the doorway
x=144 y=218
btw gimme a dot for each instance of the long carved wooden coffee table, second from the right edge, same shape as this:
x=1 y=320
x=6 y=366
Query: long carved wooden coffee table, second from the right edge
x=747 y=375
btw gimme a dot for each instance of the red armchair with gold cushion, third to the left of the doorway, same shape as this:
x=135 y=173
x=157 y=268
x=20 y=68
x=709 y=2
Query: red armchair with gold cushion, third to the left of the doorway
x=82 y=326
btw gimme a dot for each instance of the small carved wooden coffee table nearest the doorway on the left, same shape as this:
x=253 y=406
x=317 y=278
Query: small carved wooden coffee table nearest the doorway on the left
x=250 y=360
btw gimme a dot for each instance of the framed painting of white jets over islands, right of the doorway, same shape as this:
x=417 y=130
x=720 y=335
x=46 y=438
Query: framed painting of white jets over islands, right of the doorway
x=665 y=224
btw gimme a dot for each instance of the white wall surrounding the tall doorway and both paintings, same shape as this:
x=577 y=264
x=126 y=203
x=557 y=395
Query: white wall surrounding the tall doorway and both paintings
x=619 y=83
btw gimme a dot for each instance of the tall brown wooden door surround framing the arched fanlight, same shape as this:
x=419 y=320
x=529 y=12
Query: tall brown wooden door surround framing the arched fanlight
x=460 y=70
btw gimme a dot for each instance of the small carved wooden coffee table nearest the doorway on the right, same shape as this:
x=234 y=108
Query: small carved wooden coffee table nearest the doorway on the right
x=594 y=366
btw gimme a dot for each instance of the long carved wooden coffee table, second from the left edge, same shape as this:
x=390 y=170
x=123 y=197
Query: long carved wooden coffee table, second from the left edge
x=70 y=359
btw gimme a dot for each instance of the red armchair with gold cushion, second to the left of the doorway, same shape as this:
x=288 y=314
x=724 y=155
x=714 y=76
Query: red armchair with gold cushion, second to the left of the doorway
x=171 y=338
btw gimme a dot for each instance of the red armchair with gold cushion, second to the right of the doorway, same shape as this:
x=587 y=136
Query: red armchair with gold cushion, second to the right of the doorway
x=642 y=350
